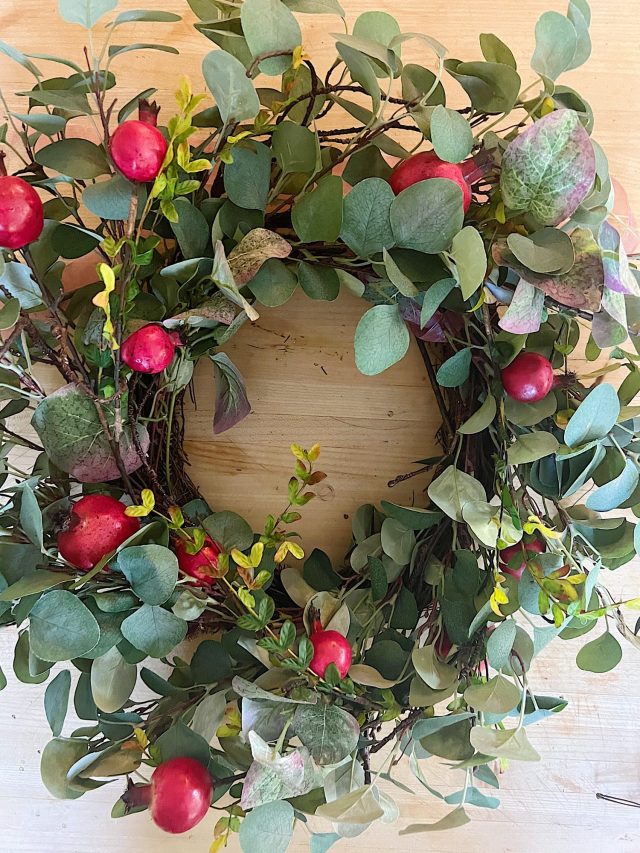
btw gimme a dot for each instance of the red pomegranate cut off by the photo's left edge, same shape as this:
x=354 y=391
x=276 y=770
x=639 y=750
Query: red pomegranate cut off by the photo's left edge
x=21 y=214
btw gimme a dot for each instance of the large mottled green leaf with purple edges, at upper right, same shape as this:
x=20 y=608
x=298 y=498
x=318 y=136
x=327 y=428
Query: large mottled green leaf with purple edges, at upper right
x=549 y=169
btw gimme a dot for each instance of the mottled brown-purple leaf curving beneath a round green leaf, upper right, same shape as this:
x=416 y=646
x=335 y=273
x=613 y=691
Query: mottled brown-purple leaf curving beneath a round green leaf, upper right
x=581 y=287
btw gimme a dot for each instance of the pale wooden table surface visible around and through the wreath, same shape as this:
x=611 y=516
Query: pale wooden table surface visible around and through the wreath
x=298 y=364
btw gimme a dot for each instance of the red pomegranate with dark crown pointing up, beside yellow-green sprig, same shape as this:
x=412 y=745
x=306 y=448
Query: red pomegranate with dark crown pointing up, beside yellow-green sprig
x=137 y=147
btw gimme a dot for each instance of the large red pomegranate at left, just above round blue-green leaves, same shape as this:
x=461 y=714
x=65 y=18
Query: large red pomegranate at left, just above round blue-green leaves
x=97 y=525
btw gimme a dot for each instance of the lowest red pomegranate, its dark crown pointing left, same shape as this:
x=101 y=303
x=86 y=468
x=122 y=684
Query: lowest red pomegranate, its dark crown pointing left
x=178 y=795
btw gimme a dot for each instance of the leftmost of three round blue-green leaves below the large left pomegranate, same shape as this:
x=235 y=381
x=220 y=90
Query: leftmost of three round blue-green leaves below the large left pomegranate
x=61 y=627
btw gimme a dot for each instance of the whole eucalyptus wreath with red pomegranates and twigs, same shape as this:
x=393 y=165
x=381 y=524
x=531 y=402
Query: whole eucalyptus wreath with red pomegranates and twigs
x=493 y=246
